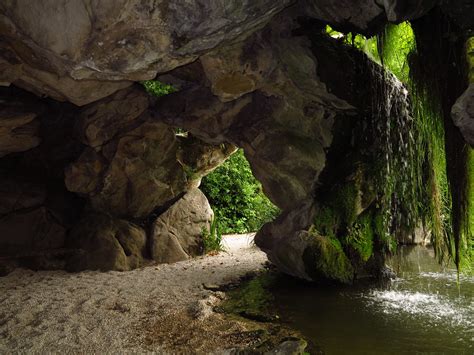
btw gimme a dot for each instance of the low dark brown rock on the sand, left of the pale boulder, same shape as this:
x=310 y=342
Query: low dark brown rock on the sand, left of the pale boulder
x=105 y=243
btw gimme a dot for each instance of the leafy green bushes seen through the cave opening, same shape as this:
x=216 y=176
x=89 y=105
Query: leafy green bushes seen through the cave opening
x=237 y=197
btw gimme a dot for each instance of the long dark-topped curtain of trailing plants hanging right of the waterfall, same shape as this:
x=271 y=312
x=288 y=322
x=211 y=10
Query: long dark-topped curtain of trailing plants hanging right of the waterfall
x=438 y=76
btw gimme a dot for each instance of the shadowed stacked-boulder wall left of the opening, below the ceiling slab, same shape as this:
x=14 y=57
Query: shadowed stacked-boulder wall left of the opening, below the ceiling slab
x=90 y=191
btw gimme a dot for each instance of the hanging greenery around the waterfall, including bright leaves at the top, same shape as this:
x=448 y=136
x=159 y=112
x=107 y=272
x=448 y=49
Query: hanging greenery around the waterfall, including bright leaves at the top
x=438 y=191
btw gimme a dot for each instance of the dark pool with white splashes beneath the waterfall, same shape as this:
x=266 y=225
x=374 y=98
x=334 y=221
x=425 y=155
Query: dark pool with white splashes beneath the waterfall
x=423 y=311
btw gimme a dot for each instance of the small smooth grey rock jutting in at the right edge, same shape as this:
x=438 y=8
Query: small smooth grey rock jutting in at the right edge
x=463 y=114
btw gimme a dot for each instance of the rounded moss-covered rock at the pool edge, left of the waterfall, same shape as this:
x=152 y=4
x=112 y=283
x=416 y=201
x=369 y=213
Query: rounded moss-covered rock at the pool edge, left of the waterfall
x=325 y=260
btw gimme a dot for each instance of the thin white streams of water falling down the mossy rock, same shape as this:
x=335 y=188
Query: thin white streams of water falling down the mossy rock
x=394 y=126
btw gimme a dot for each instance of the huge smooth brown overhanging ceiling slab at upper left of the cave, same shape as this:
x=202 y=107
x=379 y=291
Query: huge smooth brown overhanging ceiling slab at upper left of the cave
x=85 y=50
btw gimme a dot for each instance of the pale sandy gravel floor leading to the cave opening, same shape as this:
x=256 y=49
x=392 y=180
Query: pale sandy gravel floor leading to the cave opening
x=149 y=309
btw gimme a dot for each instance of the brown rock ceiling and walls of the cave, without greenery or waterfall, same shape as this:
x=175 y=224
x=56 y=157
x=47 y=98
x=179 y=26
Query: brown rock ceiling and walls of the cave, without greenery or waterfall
x=96 y=177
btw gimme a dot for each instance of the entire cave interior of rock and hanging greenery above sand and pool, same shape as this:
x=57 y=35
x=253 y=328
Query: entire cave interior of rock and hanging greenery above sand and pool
x=360 y=152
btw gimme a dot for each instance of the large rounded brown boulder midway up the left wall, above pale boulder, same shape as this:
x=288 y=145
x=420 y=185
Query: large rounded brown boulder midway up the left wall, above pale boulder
x=131 y=175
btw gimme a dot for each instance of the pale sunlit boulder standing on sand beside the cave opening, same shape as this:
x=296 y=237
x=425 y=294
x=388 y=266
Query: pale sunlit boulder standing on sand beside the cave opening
x=177 y=234
